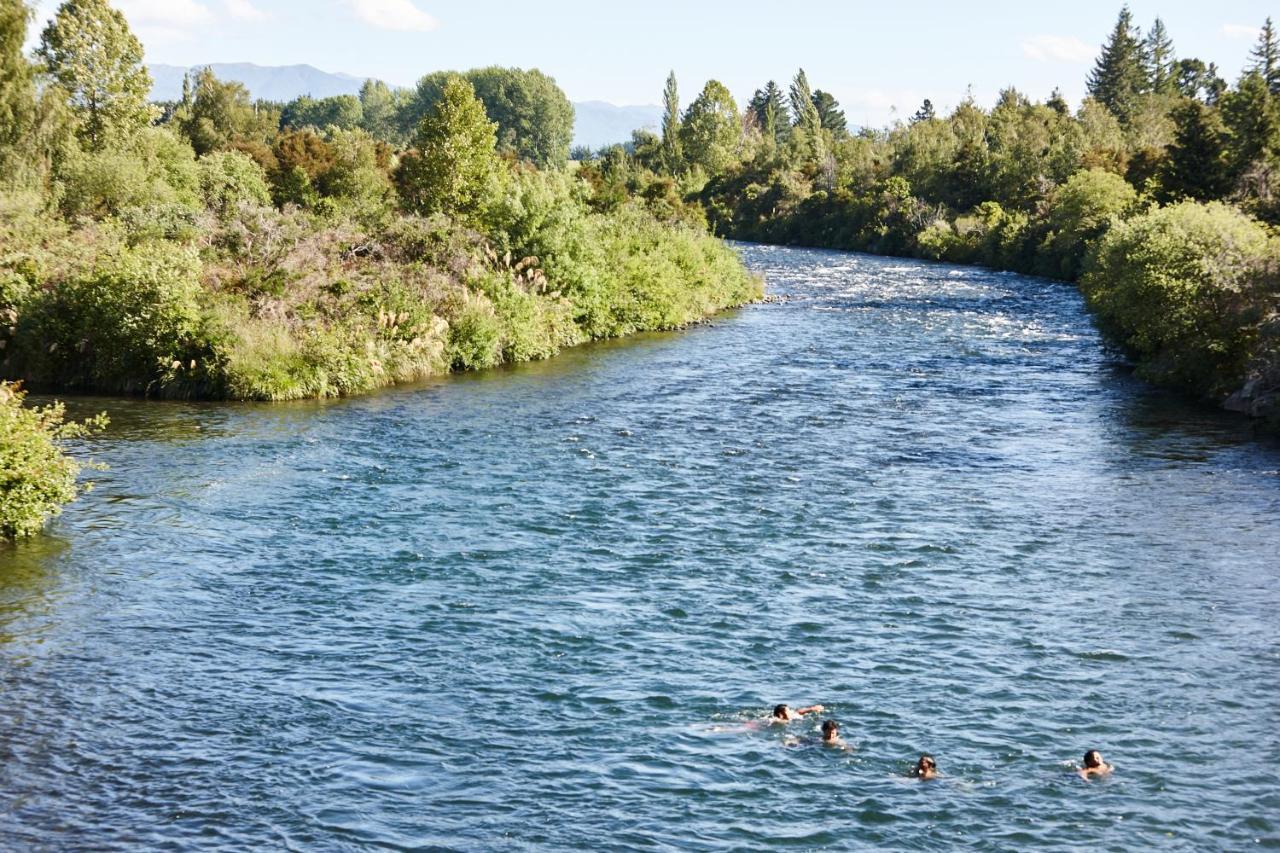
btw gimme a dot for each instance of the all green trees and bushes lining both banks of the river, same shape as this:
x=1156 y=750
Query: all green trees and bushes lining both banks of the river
x=227 y=249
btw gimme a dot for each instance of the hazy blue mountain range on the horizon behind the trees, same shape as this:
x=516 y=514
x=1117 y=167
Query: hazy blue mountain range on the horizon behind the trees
x=598 y=124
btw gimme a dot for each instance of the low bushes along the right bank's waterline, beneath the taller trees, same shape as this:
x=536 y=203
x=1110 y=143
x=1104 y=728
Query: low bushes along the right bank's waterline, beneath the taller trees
x=1190 y=293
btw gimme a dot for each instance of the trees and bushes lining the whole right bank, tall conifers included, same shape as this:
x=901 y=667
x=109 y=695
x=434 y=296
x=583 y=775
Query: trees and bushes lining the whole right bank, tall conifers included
x=1160 y=197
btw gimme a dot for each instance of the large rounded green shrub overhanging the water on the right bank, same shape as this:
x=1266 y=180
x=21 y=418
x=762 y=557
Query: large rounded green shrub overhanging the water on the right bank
x=1173 y=289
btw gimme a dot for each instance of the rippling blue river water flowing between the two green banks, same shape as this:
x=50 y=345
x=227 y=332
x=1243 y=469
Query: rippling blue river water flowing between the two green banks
x=548 y=608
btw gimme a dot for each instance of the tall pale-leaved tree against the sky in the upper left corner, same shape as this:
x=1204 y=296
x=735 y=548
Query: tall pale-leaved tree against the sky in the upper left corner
x=92 y=53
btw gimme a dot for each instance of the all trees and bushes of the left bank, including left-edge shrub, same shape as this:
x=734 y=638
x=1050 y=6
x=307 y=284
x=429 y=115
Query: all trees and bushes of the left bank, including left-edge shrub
x=225 y=249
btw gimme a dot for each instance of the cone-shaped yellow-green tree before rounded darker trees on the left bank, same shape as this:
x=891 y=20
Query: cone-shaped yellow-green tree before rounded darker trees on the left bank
x=456 y=165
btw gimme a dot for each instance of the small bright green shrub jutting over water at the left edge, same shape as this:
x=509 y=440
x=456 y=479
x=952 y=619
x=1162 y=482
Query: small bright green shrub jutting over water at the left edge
x=36 y=477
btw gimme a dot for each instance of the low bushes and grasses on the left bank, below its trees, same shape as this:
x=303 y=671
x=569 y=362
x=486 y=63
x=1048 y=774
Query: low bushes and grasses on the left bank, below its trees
x=287 y=305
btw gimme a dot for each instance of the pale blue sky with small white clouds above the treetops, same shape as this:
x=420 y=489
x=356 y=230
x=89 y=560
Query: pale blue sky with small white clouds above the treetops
x=872 y=56
